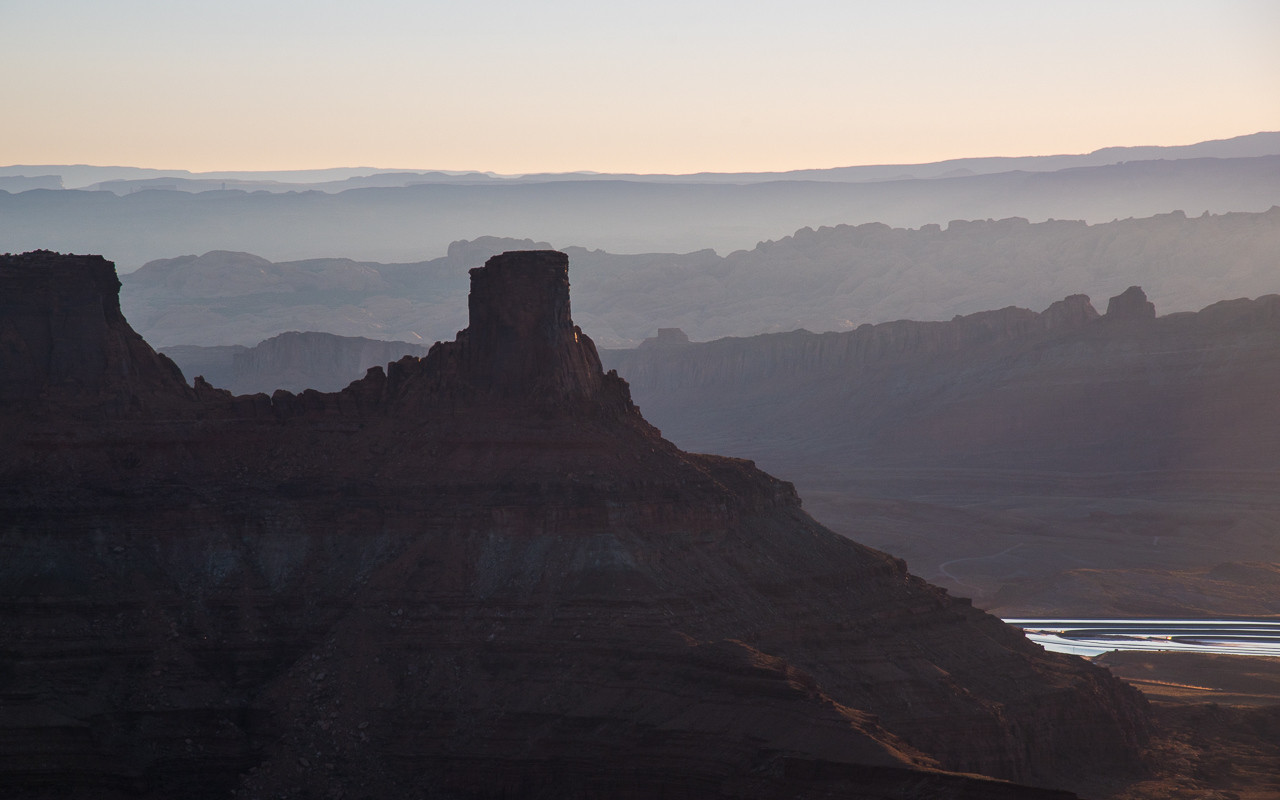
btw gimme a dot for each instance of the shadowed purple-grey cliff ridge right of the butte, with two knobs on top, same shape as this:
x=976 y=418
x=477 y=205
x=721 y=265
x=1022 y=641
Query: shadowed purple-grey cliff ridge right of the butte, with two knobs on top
x=1064 y=391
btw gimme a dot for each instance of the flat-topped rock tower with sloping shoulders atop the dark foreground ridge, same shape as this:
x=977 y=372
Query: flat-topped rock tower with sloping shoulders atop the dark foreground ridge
x=522 y=344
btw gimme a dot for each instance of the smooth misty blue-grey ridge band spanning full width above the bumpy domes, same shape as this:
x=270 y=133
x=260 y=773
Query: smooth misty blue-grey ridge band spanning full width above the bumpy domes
x=410 y=225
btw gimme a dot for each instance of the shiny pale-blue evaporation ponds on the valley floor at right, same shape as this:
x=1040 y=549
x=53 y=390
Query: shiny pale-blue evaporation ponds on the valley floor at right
x=1096 y=637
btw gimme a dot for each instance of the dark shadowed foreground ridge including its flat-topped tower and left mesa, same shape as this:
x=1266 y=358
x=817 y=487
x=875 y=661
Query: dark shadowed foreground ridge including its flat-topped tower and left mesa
x=476 y=574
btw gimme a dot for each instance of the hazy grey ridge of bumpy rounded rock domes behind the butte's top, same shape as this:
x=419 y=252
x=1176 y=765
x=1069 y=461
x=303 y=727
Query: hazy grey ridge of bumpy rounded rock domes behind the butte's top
x=828 y=280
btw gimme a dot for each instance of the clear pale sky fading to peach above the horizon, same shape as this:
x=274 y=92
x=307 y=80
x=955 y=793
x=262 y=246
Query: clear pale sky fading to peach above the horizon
x=648 y=88
